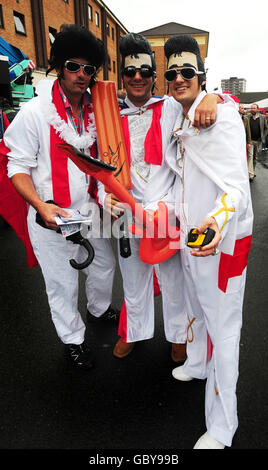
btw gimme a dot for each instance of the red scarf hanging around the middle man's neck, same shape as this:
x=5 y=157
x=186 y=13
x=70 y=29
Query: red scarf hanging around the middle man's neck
x=153 y=140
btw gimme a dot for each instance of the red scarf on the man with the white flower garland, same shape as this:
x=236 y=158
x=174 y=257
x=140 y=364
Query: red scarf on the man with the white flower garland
x=59 y=160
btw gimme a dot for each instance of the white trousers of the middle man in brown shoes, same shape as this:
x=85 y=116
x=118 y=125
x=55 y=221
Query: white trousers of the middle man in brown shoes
x=139 y=297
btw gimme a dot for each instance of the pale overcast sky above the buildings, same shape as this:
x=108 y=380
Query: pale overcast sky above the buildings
x=238 y=40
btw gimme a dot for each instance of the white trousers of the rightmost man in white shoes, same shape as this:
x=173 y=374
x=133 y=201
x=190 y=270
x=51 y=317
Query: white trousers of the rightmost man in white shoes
x=219 y=315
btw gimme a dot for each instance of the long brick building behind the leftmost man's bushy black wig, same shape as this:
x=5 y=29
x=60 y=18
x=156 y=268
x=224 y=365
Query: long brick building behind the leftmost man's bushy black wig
x=31 y=26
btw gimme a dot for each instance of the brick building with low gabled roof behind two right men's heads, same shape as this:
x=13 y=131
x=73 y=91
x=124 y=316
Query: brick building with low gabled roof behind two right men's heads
x=157 y=38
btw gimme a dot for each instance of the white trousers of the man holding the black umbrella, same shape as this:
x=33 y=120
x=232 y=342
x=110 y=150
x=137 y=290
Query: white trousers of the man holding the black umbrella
x=53 y=253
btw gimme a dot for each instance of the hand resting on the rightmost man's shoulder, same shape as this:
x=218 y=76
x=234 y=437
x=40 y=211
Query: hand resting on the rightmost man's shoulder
x=205 y=113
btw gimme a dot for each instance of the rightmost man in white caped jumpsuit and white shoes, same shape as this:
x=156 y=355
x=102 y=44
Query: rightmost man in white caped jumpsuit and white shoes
x=211 y=191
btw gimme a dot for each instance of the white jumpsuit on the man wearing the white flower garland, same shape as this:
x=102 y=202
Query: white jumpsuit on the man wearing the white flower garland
x=28 y=138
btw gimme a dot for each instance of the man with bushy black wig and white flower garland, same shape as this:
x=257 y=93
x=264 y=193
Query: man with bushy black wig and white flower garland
x=41 y=172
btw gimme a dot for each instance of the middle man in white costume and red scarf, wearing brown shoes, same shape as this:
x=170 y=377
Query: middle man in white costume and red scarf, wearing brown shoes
x=147 y=123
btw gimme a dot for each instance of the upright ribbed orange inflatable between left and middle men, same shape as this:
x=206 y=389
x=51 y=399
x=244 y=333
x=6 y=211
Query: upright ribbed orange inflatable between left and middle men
x=109 y=130
